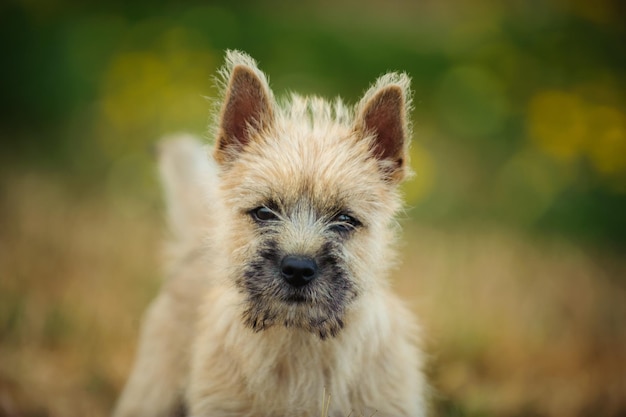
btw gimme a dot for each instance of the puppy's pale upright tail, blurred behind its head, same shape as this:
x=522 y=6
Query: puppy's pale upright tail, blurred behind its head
x=188 y=175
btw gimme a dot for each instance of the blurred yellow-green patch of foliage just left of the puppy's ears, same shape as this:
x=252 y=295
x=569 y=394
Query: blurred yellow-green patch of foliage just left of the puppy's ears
x=155 y=90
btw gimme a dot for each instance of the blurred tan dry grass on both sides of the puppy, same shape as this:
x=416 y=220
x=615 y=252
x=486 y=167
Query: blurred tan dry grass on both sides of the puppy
x=515 y=326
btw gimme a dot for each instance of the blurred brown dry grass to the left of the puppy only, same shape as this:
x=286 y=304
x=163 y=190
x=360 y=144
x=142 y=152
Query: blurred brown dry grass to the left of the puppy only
x=77 y=272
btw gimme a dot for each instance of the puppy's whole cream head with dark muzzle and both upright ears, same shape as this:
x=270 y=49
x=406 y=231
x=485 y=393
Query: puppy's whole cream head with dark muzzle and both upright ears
x=309 y=190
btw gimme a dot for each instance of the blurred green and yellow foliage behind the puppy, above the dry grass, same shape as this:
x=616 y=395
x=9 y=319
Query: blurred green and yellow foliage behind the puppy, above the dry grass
x=519 y=106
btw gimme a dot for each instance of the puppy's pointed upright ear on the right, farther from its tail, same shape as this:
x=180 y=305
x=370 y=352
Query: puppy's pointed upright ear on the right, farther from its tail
x=382 y=116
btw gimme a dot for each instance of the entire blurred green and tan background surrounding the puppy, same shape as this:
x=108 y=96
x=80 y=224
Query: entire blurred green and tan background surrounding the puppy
x=519 y=149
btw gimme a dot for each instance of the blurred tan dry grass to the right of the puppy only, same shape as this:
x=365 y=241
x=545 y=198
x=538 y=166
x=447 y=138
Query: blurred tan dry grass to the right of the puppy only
x=519 y=326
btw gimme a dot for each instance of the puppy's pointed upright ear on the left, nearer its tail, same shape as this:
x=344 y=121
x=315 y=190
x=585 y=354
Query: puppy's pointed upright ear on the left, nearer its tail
x=247 y=107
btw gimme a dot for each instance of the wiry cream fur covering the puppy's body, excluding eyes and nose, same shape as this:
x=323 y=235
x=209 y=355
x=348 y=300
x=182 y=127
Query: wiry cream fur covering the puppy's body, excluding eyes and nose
x=227 y=336
